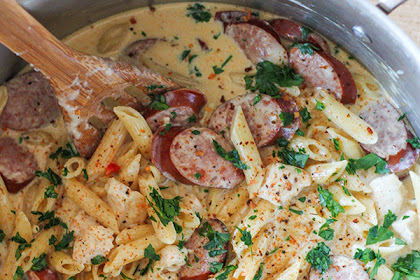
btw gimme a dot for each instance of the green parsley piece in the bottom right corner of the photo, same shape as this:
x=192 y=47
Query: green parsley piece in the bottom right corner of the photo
x=407 y=266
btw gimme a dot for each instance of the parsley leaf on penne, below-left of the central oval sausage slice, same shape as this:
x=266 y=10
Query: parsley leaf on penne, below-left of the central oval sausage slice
x=166 y=209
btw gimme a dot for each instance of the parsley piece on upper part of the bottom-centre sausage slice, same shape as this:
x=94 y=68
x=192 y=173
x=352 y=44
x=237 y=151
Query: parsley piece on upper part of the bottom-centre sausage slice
x=217 y=240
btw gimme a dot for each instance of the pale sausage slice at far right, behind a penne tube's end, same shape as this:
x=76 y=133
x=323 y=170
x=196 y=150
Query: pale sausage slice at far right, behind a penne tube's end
x=392 y=134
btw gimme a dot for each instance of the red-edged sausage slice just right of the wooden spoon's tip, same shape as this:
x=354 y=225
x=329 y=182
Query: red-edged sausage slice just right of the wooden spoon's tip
x=183 y=103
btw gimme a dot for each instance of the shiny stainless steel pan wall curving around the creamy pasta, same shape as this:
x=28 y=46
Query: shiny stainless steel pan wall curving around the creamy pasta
x=362 y=29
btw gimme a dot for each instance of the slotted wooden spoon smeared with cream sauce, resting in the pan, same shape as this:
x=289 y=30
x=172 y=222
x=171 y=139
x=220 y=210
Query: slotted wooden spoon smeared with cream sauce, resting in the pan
x=81 y=82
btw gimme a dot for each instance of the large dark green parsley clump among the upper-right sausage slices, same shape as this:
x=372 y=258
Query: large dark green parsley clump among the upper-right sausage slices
x=270 y=76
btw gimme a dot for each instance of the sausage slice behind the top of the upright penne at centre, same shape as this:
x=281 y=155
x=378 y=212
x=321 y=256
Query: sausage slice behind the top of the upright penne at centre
x=263 y=118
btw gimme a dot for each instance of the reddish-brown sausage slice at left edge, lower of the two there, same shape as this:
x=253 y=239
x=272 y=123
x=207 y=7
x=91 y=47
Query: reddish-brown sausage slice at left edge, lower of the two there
x=17 y=164
